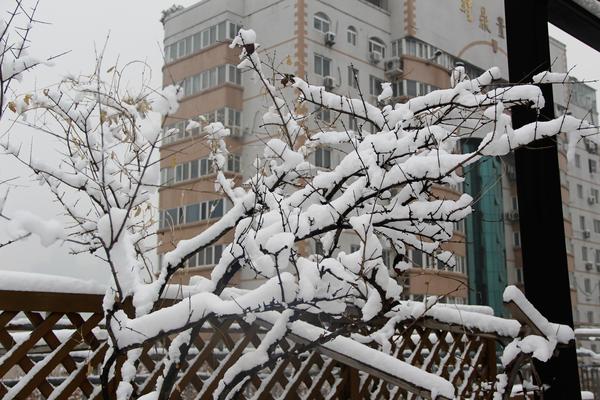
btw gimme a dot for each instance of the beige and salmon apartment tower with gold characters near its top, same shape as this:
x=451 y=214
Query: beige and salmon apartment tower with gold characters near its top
x=329 y=43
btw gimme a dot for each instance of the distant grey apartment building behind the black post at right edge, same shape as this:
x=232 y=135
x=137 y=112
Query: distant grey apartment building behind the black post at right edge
x=580 y=188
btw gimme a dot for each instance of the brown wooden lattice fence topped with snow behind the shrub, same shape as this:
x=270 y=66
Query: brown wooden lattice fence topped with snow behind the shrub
x=53 y=344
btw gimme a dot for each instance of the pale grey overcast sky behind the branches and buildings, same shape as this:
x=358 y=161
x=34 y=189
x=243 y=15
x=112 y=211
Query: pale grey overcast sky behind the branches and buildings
x=135 y=34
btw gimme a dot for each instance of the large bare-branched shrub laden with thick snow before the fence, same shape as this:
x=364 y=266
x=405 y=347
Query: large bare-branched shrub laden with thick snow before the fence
x=381 y=192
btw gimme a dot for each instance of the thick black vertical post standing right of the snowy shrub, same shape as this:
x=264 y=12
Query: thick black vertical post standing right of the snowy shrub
x=538 y=188
